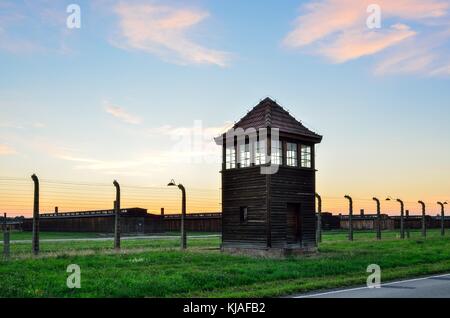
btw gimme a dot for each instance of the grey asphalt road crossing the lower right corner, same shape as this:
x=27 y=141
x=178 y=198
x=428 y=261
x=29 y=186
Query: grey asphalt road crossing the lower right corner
x=437 y=286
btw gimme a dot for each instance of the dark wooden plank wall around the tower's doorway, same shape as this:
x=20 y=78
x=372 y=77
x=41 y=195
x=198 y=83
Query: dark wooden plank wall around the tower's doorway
x=293 y=185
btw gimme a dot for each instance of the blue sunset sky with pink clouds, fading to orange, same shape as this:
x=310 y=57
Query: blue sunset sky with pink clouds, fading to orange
x=140 y=89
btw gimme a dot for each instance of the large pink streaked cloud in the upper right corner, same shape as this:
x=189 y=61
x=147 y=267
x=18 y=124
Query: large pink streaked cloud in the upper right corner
x=336 y=29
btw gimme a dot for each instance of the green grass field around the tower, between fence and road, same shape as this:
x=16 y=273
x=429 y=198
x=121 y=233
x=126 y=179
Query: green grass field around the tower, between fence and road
x=156 y=268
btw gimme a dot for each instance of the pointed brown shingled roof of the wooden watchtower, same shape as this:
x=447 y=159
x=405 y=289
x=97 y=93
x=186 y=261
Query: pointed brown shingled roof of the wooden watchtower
x=269 y=114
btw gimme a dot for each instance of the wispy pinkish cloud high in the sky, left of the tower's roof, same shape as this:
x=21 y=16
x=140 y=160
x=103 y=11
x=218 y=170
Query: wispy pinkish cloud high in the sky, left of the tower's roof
x=162 y=30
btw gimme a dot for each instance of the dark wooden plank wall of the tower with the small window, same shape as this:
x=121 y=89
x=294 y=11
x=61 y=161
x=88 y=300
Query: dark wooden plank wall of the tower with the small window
x=244 y=187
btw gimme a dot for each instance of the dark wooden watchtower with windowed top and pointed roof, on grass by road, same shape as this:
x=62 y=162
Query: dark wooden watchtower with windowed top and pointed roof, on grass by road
x=268 y=212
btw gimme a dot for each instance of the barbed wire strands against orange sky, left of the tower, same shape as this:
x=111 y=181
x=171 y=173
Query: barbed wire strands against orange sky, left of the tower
x=16 y=197
